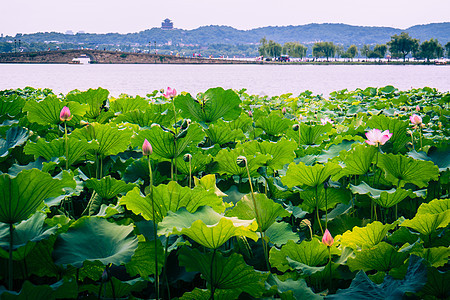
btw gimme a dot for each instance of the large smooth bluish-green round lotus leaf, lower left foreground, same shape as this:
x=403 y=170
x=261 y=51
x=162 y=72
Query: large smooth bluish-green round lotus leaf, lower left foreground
x=92 y=239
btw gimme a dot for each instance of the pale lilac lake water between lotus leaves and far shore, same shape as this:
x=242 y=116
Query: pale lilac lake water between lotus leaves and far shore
x=257 y=79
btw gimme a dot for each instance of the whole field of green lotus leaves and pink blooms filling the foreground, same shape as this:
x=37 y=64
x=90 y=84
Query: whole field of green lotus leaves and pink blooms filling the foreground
x=224 y=195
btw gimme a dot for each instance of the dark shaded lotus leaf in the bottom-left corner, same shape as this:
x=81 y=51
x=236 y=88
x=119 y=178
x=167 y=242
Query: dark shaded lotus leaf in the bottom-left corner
x=65 y=288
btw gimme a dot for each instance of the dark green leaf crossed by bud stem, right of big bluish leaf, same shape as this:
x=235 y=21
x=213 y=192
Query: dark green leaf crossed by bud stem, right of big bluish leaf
x=142 y=262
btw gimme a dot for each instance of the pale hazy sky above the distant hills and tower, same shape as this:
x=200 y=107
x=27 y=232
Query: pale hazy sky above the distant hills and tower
x=102 y=16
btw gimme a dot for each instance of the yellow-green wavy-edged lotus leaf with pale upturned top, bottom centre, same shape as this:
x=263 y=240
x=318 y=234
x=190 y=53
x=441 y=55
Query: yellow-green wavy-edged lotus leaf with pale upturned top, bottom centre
x=207 y=227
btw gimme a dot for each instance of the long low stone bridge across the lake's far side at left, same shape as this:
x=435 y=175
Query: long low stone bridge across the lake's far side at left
x=109 y=57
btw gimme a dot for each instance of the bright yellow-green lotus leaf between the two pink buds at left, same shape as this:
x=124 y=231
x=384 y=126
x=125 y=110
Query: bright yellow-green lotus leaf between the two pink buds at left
x=111 y=139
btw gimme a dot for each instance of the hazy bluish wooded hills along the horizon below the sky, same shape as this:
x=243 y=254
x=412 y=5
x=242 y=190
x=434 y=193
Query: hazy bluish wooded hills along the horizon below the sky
x=207 y=35
